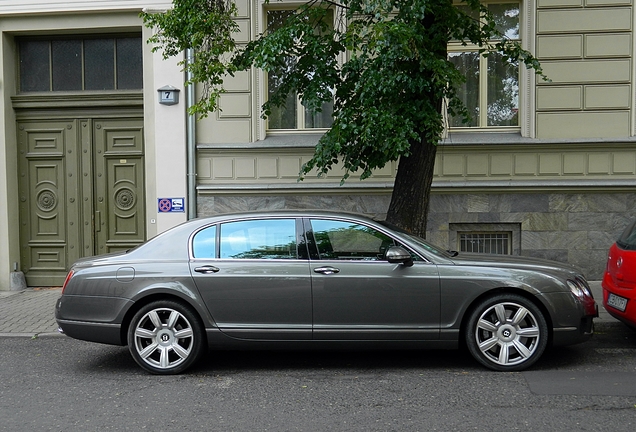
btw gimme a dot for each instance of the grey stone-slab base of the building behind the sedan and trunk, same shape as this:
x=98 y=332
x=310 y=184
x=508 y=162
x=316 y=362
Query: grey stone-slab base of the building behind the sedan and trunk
x=575 y=228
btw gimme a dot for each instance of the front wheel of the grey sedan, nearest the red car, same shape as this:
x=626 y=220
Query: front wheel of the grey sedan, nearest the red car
x=506 y=332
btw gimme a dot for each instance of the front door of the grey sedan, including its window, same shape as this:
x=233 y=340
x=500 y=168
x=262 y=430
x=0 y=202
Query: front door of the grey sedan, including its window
x=358 y=295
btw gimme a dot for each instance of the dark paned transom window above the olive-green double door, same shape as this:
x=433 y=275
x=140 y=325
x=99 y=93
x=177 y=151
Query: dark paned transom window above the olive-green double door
x=76 y=64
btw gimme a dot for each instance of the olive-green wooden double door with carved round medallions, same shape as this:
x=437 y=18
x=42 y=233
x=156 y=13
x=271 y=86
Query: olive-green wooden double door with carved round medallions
x=81 y=191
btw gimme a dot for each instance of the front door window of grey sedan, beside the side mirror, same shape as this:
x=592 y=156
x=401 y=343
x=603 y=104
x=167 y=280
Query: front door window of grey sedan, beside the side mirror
x=349 y=241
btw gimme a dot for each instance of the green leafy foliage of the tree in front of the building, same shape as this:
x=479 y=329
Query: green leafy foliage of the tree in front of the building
x=384 y=64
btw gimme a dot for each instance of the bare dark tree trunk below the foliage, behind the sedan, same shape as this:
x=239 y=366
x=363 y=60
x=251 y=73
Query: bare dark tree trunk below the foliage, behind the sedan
x=411 y=192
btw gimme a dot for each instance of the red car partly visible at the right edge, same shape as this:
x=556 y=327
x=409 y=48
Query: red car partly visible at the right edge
x=619 y=280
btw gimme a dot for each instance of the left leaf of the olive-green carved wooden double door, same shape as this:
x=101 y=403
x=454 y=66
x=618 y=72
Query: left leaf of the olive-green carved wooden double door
x=49 y=200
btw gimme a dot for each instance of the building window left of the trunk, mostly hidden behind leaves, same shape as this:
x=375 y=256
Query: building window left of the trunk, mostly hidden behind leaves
x=292 y=115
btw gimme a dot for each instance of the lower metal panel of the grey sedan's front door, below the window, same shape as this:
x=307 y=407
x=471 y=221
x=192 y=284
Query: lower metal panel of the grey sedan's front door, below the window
x=375 y=300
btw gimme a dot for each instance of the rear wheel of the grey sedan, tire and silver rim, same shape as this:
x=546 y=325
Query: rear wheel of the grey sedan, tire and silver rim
x=165 y=337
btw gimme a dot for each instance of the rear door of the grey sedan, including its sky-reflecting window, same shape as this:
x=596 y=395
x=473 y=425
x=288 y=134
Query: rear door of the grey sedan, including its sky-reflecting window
x=253 y=279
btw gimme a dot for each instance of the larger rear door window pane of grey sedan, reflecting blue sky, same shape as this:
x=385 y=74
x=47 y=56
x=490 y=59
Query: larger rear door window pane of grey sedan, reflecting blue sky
x=259 y=239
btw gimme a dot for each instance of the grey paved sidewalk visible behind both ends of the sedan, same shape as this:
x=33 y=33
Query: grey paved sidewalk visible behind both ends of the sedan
x=31 y=312
